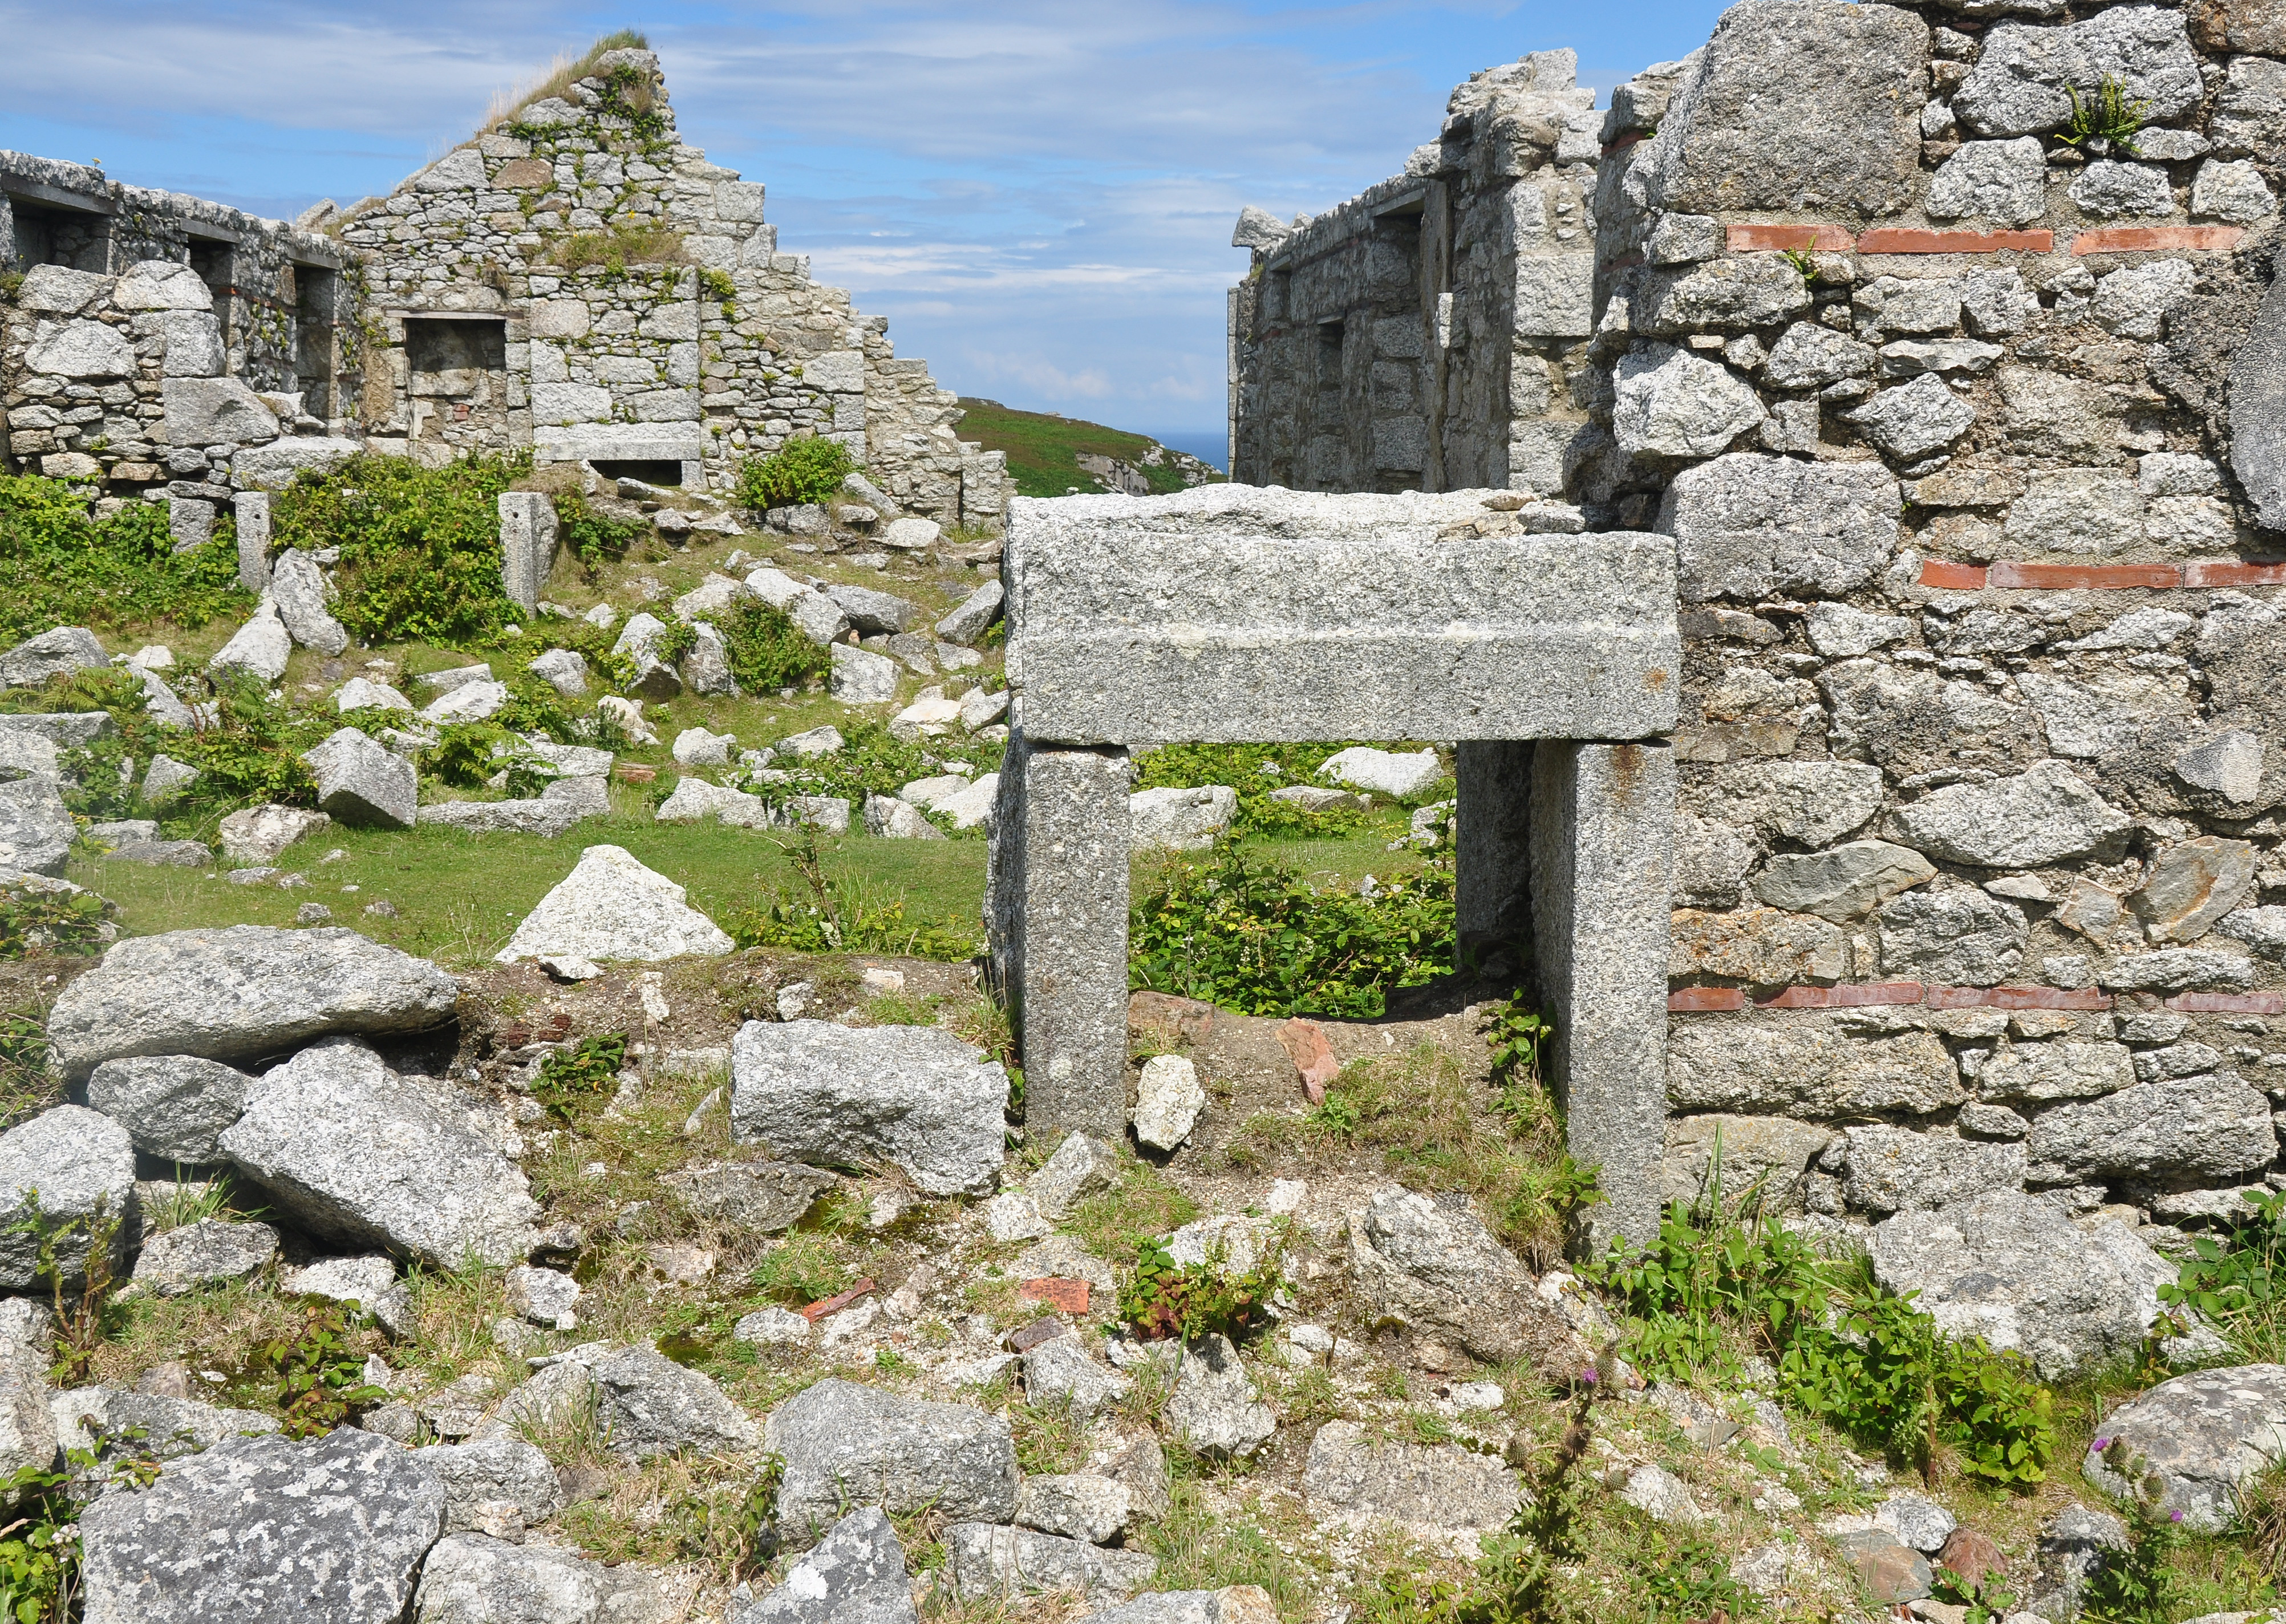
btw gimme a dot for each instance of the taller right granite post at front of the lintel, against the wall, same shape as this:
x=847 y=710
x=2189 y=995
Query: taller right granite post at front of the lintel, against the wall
x=1604 y=835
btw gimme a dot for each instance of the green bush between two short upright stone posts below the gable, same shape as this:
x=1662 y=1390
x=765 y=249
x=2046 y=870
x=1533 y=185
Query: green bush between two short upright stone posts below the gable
x=419 y=547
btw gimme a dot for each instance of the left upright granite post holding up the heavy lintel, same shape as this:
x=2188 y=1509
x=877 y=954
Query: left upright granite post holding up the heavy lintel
x=1057 y=922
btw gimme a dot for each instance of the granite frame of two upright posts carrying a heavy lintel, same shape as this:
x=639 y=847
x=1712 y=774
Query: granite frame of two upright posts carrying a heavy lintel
x=1263 y=616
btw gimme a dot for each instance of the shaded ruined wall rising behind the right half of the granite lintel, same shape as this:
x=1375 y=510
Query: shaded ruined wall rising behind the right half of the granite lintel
x=1421 y=335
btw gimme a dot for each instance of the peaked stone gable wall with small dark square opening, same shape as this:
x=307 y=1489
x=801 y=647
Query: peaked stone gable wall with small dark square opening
x=639 y=309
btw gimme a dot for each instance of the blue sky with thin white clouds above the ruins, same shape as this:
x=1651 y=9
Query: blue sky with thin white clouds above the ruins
x=1039 y=198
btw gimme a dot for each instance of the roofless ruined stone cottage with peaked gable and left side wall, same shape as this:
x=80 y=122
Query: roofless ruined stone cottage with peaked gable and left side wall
x=575 y=282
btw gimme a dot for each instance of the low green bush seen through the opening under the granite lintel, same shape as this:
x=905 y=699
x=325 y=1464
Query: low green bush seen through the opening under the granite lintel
x=1256 y=938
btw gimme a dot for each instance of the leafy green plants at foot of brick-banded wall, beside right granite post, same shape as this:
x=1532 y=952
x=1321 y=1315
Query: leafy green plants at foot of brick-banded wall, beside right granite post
x=1848 y=1349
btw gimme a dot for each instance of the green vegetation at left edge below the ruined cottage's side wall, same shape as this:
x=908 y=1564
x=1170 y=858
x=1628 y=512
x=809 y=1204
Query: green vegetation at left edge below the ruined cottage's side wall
x=65 y=568
